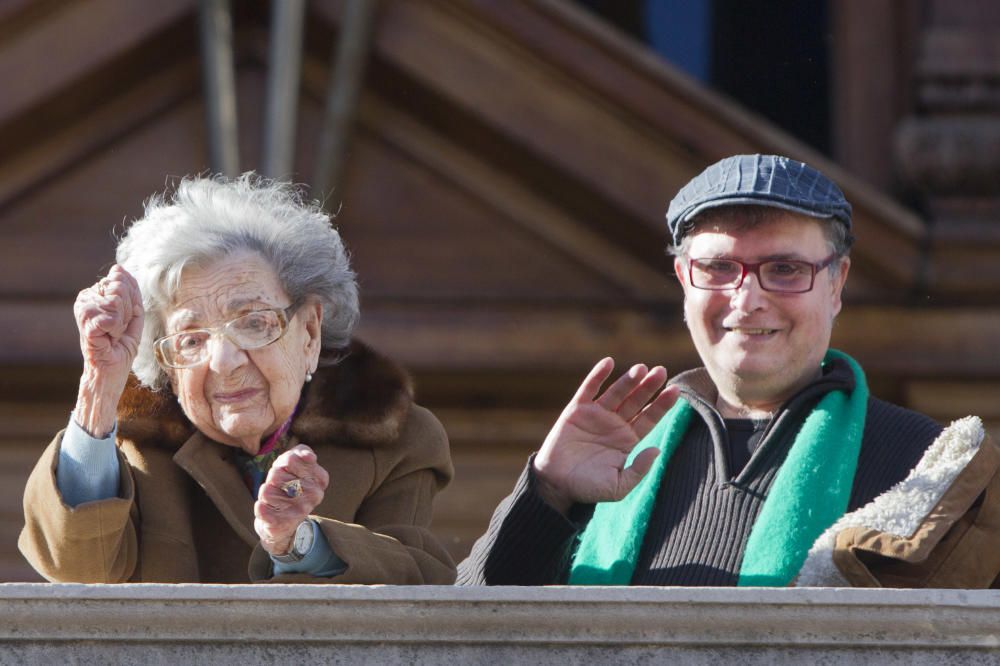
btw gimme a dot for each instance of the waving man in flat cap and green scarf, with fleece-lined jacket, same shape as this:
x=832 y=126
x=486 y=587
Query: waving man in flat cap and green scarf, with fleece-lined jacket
x=772 y=464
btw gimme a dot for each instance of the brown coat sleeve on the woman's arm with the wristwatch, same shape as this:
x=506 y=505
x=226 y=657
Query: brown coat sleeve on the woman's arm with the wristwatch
x=390 y=541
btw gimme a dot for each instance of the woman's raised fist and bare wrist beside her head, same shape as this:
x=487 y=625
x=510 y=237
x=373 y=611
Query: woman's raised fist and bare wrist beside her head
x=109 y=318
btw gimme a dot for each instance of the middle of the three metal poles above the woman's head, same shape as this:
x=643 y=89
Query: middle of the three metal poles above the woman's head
x=283 y=75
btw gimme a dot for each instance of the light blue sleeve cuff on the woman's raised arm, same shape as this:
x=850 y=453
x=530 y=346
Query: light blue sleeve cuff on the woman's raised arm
x=88 y=468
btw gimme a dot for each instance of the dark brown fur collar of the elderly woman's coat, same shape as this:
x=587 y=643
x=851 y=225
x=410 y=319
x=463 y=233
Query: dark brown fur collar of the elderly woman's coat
x=361 y=400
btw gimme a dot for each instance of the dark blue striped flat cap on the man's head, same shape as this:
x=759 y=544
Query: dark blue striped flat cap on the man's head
x=760 y=180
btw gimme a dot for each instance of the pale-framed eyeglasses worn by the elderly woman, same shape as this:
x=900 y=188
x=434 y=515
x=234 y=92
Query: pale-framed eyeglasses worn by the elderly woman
x=250 y=331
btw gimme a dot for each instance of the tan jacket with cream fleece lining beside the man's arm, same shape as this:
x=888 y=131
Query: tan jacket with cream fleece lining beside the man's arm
x=939 y=527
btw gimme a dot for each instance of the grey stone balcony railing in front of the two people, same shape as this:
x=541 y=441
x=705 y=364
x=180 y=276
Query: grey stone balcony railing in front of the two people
x=181 y=624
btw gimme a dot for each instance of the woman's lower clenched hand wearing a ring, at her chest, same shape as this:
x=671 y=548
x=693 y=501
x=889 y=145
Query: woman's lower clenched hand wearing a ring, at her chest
x=279 y=511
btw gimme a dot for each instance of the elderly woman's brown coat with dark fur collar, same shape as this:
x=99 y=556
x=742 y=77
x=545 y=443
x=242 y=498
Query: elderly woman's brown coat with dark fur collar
x=184 y=514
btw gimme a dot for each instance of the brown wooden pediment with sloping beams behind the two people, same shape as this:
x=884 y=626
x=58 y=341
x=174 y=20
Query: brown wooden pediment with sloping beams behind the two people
x=507 y=154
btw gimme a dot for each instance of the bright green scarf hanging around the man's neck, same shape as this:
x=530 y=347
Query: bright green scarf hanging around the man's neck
x=809 y=493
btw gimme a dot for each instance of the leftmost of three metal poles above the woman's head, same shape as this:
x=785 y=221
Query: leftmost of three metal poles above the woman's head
x=219 y=77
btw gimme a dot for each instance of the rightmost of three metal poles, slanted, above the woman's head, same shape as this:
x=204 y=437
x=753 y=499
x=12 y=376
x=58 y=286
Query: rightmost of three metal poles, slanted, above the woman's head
x=343 y=90
